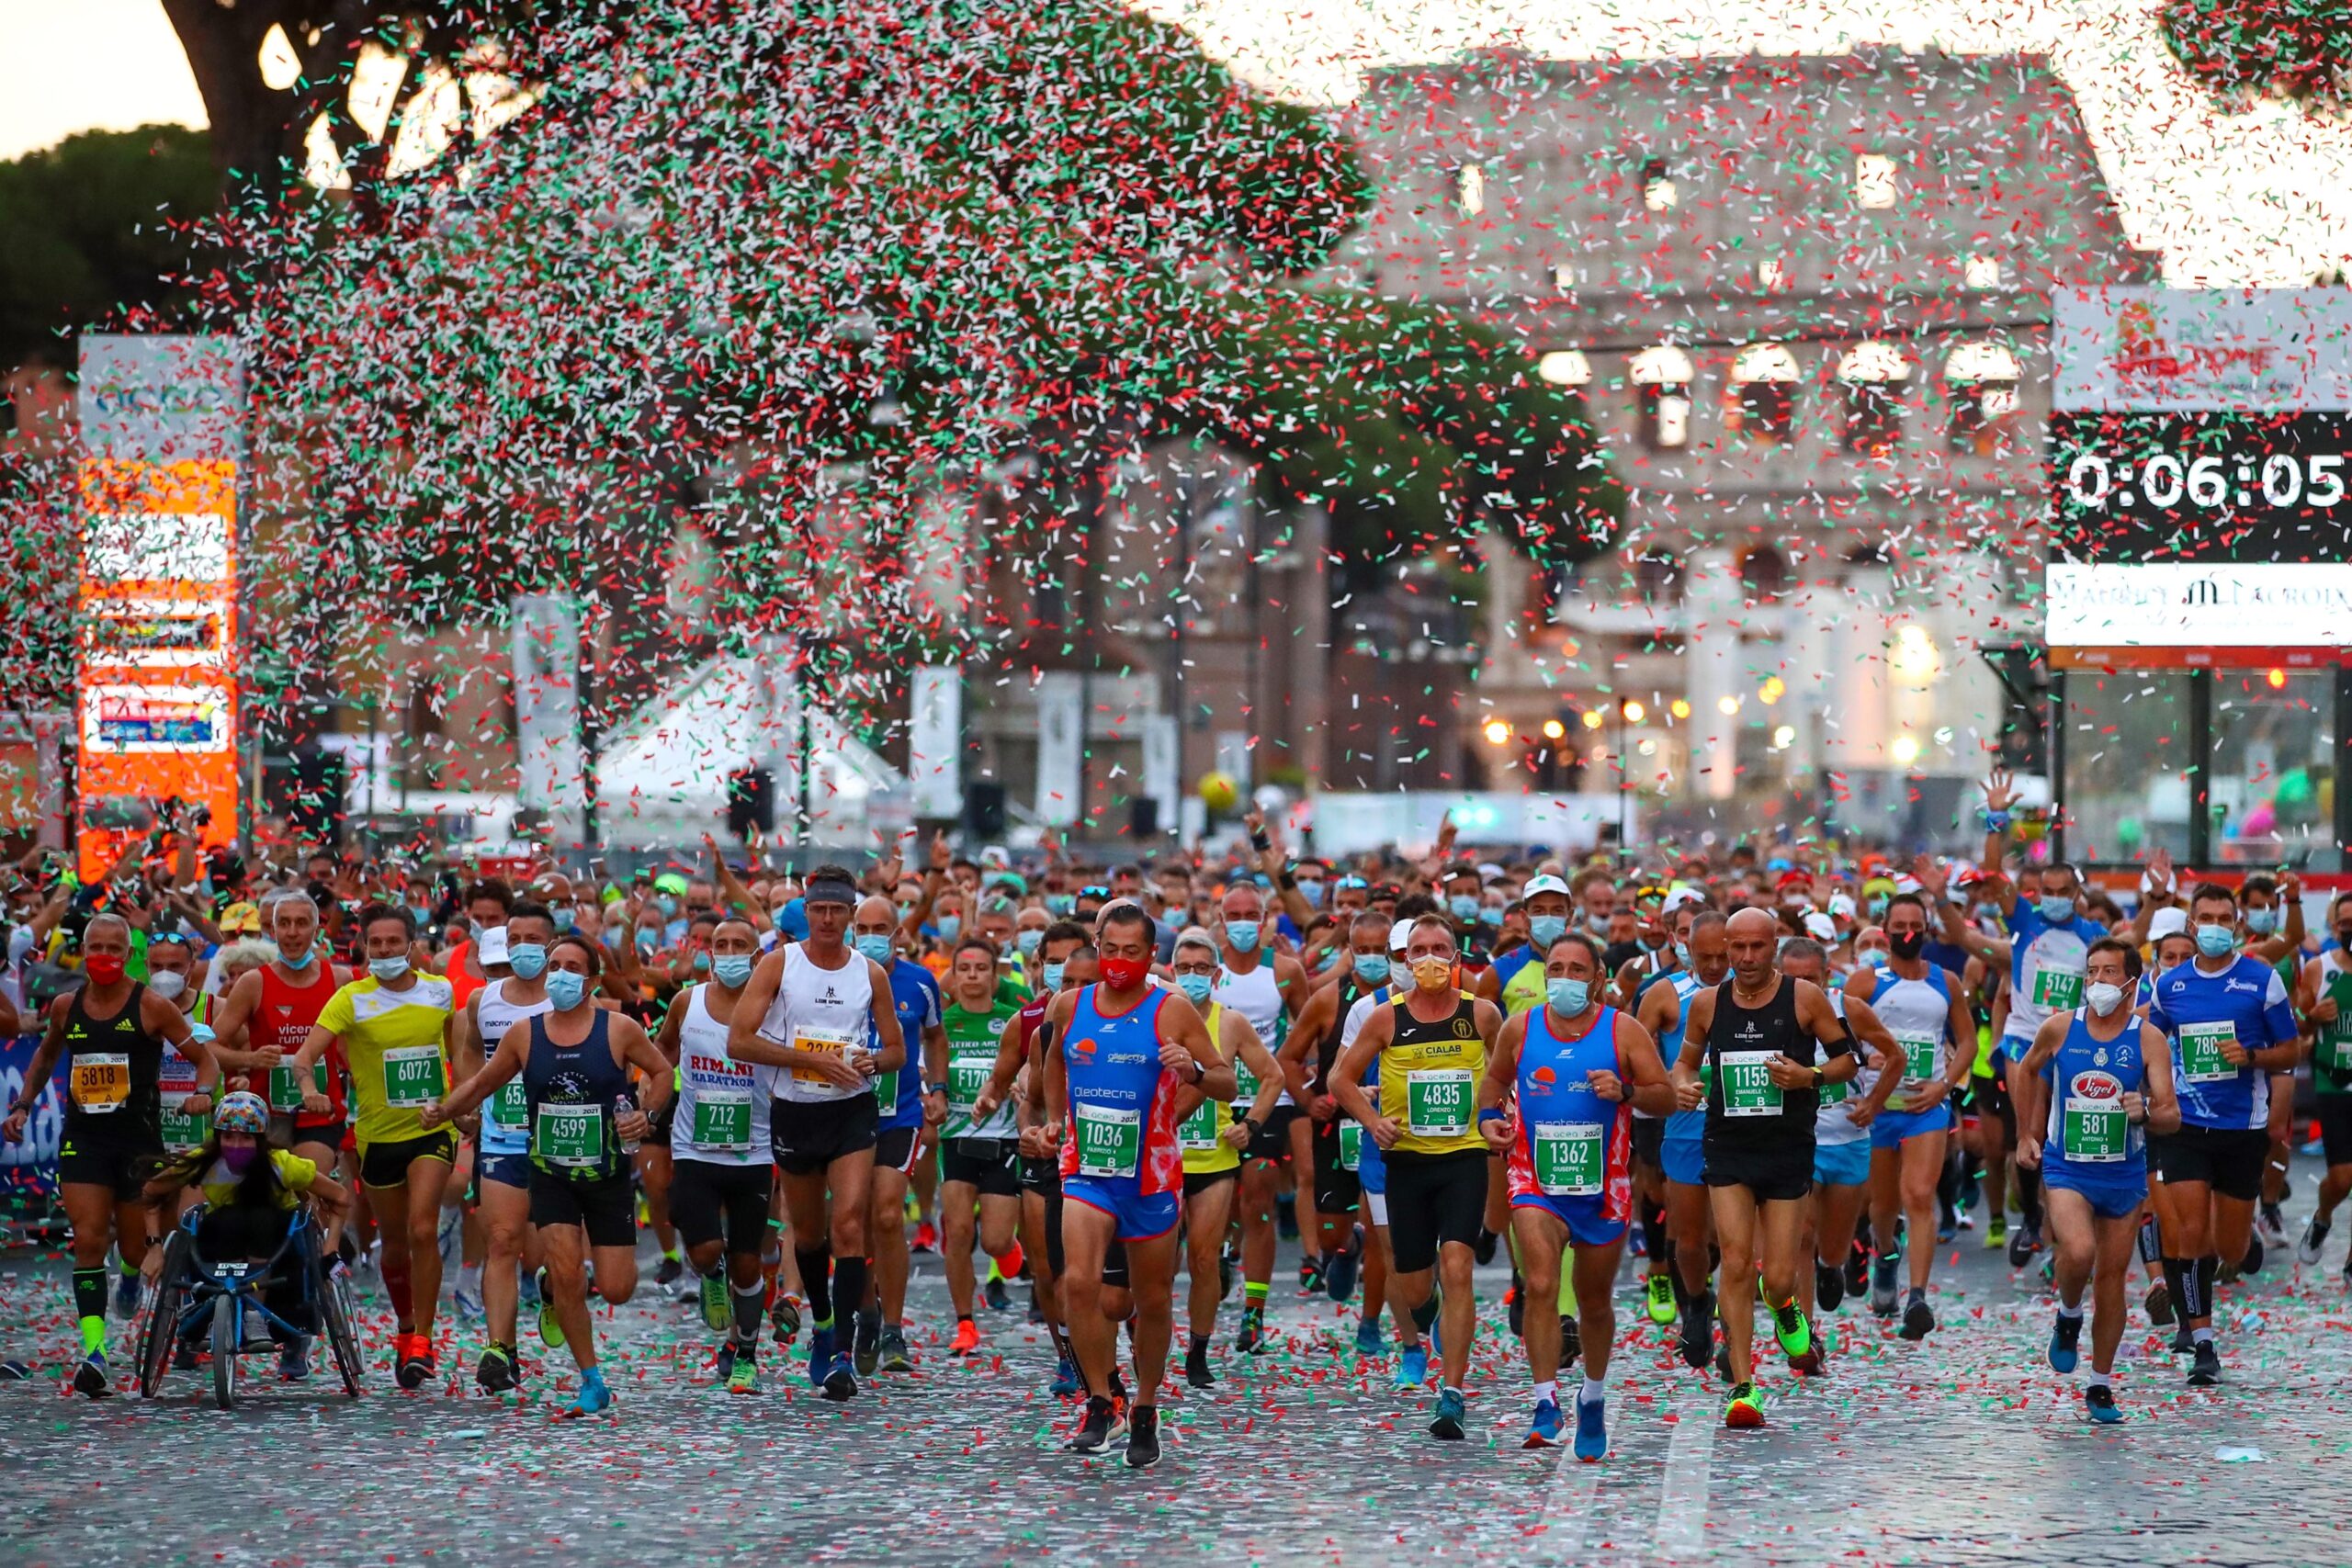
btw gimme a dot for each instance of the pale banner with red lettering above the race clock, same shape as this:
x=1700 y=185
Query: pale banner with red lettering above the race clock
x=2146 y=349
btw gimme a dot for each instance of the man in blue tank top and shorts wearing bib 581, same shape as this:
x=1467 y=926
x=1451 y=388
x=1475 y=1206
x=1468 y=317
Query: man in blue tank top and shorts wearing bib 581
x=2097 y=1083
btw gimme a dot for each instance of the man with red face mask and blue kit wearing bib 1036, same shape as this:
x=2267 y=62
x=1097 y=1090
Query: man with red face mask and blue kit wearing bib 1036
x=1132 y=1061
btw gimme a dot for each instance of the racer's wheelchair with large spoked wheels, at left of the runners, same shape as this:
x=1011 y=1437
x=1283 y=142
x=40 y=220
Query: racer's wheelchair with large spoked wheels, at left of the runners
x=199 y=1299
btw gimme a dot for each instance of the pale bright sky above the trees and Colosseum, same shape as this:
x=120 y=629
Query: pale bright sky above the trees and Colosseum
x=2231 y=196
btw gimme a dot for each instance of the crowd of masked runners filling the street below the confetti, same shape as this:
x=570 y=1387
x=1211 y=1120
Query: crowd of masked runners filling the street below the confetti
x=1777 y=1073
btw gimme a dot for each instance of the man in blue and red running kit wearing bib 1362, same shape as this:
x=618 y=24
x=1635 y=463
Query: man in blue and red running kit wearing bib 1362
x=1570 y=1073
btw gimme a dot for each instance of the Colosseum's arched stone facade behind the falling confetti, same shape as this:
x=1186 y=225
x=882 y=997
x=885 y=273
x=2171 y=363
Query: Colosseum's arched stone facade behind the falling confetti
x=1808 y=302
